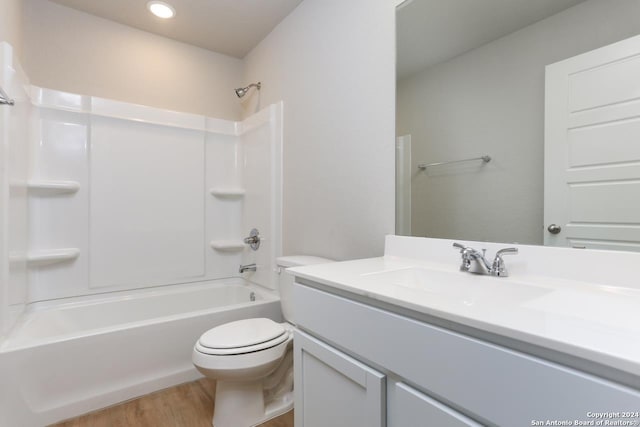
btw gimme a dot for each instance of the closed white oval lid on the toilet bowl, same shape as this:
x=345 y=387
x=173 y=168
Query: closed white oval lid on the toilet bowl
x=242 y=333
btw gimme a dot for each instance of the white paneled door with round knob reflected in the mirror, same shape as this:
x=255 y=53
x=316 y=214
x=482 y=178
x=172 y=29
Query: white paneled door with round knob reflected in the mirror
x=592 y=149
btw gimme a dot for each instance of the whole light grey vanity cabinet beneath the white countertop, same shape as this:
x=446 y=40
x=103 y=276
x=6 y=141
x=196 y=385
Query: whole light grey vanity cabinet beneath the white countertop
x=434 y=376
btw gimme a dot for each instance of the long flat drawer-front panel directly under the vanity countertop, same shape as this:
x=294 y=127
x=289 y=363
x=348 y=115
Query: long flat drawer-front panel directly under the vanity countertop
x=493 y=384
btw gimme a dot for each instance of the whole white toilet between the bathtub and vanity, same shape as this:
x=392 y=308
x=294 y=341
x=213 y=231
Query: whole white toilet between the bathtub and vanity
x=252 y=360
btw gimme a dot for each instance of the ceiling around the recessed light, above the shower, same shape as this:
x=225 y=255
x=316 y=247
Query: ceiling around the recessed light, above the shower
x=231 y=27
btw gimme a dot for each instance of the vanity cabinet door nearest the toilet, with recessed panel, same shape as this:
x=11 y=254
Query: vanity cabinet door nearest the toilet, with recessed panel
x=333 y=389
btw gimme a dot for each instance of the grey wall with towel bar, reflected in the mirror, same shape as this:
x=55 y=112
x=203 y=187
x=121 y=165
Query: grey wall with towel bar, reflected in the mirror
x=490 y=100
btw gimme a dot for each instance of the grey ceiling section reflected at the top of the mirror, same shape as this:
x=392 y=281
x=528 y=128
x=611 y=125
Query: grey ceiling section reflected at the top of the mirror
x=433 y=31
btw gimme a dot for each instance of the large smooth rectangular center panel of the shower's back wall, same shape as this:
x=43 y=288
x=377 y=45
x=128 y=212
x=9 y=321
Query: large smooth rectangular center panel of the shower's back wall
x=146 y=205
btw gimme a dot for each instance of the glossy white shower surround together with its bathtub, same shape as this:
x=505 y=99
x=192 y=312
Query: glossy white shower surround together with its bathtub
x=108 y=208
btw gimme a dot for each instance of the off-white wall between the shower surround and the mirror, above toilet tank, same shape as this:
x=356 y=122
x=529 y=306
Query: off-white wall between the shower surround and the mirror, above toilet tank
x=333 y=64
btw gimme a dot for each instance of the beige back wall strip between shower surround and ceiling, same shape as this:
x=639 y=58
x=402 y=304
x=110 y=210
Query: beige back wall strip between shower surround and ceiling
x=76 y=52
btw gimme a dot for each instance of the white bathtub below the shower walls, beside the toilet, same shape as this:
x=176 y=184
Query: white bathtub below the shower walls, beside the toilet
x=68 y=357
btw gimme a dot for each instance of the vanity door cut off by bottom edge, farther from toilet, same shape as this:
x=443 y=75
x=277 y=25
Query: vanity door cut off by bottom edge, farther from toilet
x=411 y=408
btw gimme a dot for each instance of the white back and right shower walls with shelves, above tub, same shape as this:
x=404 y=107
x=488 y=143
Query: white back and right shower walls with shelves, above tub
x=145 y=197
